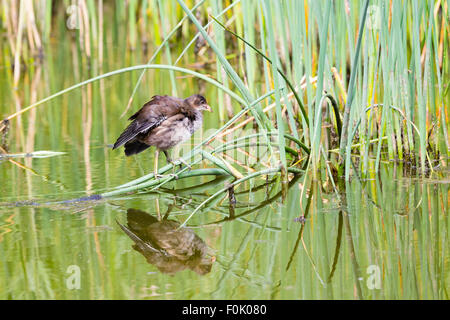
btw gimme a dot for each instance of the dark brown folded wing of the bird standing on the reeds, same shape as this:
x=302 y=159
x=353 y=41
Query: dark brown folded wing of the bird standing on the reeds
x=150 y=116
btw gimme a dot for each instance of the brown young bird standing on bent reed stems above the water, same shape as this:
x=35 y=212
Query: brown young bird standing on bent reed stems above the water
x=163 y=122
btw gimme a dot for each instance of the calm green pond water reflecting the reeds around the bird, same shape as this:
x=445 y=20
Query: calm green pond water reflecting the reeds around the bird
x=382 y=237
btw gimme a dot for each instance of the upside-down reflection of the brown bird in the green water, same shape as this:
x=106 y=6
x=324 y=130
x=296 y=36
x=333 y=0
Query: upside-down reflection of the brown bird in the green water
x=170 y=248
